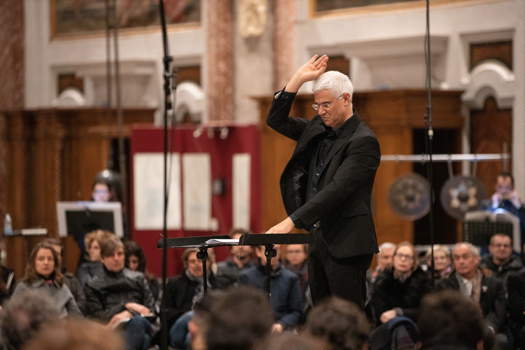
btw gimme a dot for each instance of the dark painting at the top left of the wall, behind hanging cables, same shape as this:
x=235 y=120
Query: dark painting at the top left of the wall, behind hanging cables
x=89 y=16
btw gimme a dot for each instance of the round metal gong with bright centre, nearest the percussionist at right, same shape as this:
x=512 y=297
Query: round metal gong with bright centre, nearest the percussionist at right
x=462 y=194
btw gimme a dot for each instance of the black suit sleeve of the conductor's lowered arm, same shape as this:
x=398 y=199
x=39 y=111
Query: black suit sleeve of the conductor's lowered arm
x=358 y=167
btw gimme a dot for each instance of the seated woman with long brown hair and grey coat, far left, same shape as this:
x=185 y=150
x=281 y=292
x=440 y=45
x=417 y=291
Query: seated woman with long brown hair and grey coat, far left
x=43 y=274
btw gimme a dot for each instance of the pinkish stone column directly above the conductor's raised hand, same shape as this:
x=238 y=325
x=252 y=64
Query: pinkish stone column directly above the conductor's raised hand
x=285 y=13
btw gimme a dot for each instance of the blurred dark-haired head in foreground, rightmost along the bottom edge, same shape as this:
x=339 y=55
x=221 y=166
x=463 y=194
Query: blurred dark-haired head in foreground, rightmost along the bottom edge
x=449 y=320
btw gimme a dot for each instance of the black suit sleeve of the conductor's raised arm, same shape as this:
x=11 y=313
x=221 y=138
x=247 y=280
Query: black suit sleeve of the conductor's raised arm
x=279 y=119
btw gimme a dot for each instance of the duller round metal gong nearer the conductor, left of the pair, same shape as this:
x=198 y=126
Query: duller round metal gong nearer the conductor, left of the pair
x=409 y=196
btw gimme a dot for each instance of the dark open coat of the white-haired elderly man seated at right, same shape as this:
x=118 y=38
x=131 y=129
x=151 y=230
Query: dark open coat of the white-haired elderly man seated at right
x=492 y=298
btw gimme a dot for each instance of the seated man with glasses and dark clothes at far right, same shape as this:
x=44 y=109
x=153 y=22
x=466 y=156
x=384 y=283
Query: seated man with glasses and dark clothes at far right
x=500 y=262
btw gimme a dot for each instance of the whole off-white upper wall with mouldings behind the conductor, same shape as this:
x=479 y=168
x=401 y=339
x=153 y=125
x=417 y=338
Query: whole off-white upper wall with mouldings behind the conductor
x=386 y=49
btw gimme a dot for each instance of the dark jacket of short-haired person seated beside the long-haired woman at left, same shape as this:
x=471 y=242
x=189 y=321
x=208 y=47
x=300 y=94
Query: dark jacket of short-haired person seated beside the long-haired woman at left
x=107 y=293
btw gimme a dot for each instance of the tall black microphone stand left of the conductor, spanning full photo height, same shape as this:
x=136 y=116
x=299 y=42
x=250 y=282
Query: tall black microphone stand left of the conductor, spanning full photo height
x=167 y=61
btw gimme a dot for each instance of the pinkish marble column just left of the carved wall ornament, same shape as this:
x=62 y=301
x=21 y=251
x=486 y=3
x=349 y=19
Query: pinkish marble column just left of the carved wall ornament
x=219 y=44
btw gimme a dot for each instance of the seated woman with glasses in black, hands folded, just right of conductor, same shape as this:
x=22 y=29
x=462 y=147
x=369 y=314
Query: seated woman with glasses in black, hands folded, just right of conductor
x=398 y=290
